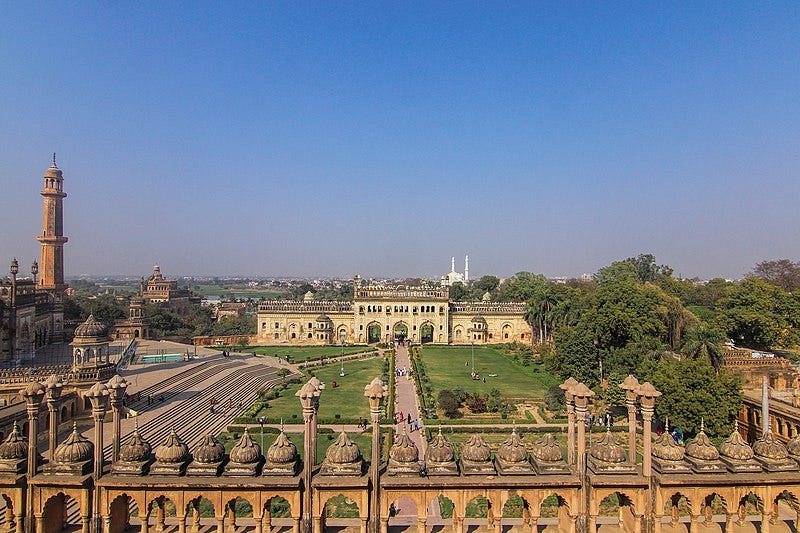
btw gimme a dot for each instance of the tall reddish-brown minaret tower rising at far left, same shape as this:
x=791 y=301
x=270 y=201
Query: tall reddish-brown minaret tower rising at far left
x=52 y=238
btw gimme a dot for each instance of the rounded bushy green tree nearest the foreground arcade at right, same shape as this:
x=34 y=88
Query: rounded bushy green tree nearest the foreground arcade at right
x=692 y=390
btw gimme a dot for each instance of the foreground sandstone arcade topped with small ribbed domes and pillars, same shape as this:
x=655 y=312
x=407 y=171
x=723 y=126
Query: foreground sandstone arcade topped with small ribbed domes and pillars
x=605 y=487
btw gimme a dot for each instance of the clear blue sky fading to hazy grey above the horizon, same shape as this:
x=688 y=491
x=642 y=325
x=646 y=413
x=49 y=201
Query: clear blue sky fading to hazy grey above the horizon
x=296 y=138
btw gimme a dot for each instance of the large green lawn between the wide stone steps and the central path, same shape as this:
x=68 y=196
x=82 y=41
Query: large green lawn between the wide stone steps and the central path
x=346 y=399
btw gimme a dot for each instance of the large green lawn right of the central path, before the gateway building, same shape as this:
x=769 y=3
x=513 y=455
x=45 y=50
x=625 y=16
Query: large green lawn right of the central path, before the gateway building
x=445 y=367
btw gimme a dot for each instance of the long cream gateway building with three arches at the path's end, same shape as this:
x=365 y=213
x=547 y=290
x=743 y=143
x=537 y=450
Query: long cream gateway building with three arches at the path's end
x=380 y=313
